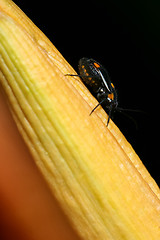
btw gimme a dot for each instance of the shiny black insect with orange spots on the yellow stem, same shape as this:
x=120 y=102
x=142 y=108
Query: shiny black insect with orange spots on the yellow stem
x=97 y=80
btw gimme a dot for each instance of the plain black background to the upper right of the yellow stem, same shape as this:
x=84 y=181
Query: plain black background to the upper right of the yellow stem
x=124 y=36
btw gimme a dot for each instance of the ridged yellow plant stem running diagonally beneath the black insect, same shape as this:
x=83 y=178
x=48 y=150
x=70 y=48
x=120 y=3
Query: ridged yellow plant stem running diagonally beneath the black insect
x=92 y=170
